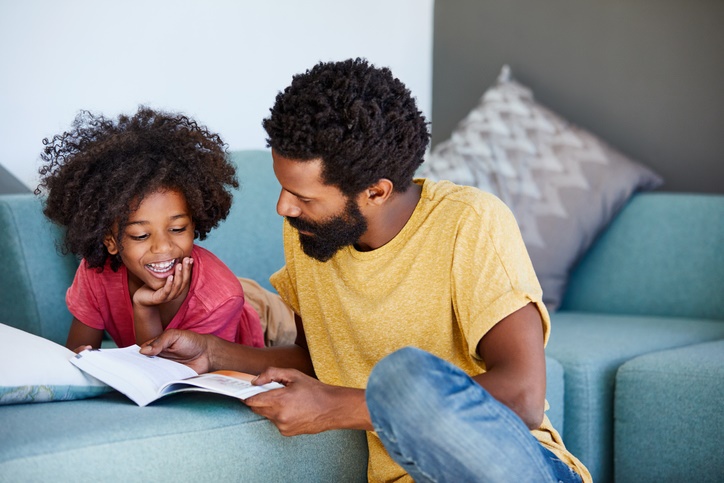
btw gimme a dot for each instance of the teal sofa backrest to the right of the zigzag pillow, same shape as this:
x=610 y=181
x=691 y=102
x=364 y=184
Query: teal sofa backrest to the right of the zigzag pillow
x=662 y=255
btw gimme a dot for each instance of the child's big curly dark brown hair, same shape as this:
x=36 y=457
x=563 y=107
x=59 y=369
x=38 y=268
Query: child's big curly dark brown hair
x=97 y=174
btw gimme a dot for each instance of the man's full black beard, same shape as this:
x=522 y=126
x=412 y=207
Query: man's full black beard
x=328 y=237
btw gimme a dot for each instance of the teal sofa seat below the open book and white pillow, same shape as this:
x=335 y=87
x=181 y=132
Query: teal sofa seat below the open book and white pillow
x=184 y=437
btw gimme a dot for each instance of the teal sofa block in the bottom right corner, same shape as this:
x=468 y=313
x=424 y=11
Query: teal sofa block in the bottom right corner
x=681 y=439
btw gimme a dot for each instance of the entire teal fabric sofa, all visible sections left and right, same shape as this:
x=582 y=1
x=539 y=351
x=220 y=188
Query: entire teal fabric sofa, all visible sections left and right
x=648 y=291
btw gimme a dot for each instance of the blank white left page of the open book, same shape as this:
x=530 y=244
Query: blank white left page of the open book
x=137 y=376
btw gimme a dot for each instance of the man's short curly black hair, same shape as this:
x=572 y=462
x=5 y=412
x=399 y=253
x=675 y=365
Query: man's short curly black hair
x=360 y=120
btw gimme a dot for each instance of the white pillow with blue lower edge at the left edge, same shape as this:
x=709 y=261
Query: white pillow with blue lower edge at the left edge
x=33 y=369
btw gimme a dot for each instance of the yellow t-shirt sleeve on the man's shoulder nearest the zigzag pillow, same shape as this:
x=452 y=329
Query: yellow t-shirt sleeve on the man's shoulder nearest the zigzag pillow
x=492 y=272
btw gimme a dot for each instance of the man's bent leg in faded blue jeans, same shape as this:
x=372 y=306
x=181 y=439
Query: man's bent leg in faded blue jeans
x=440 y=425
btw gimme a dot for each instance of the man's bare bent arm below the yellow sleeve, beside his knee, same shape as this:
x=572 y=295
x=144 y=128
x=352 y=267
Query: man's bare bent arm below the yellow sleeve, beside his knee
x=515 y=361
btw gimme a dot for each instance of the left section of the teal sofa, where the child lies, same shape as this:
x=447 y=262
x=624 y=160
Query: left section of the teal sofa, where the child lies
x=190 y=437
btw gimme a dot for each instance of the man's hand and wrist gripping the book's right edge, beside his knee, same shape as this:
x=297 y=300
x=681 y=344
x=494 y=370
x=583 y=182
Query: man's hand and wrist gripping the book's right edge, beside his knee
x=308 y=406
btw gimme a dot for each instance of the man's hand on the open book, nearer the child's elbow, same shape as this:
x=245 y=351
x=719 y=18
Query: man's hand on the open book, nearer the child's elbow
x=182 y=346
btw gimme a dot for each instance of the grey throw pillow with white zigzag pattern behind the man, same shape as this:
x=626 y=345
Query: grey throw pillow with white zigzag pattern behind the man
x=563 y=184
